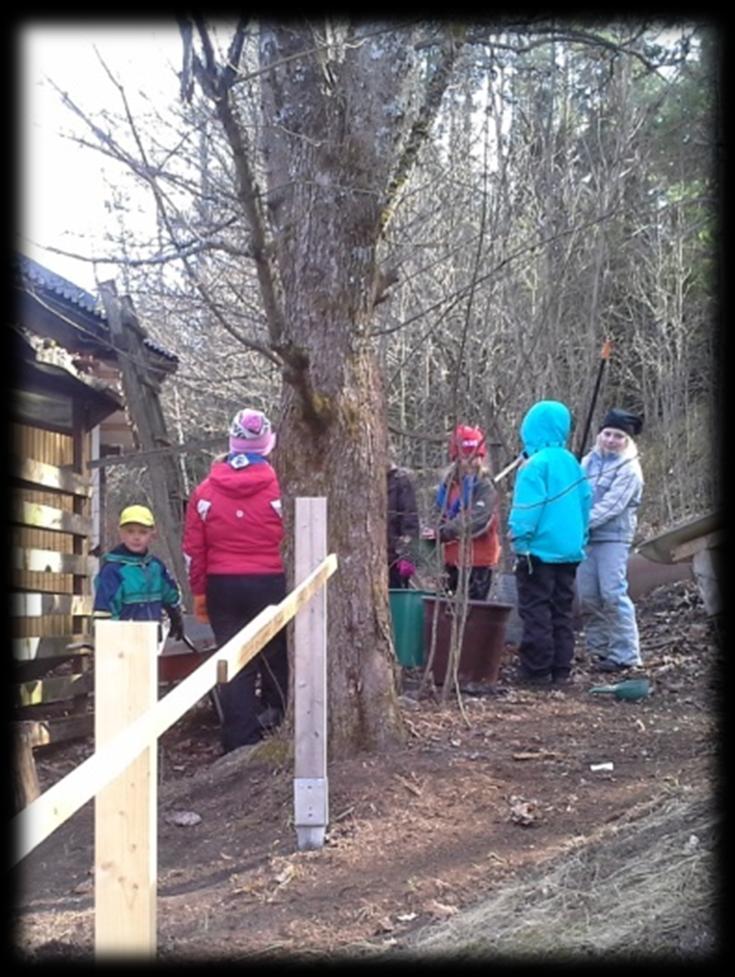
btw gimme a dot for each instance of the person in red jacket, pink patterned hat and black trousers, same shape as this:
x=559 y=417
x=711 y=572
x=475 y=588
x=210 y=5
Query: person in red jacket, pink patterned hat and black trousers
x=232 y=543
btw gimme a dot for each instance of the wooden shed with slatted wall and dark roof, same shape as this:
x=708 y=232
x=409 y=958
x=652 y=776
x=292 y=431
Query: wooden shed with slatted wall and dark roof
x=67 y=410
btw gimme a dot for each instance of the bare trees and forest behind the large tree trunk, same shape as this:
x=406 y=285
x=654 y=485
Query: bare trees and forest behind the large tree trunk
x=565 y=194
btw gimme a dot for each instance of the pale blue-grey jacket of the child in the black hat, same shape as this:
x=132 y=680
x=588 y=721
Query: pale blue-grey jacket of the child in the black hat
x=617 y=486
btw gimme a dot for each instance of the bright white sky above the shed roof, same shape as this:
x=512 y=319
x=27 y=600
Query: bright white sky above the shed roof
x=62 y=193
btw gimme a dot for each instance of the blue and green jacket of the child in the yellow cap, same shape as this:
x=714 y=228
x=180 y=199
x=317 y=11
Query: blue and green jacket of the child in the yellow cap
x=133 y=586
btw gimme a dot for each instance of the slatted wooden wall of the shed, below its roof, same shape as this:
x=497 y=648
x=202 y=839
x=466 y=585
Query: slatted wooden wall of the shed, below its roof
x=51 y=579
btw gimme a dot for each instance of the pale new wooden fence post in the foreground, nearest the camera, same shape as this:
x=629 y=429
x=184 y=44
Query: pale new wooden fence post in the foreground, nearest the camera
x=125 y=824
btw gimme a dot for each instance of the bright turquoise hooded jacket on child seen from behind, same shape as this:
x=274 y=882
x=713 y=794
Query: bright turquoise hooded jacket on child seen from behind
x=551 y=499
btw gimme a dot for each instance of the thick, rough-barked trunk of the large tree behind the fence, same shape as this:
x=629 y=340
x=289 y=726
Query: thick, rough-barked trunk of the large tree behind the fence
x=338 y=136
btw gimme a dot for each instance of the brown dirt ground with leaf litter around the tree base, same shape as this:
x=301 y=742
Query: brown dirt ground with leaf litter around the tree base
x=467 y=807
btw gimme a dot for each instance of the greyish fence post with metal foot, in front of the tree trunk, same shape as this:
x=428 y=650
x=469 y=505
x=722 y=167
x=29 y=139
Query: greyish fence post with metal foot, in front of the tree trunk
x=311 y=791
